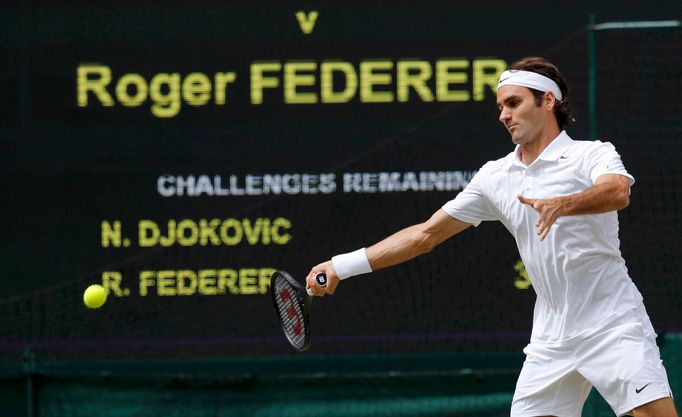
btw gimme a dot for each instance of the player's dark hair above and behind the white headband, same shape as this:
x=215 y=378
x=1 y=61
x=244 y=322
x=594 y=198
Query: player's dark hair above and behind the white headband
x=562 y=109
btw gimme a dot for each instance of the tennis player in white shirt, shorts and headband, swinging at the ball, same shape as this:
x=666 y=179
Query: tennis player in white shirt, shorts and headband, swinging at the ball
x=559 y=198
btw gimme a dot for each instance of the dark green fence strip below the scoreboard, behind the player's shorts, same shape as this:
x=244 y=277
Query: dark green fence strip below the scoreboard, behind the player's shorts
x=476 y=384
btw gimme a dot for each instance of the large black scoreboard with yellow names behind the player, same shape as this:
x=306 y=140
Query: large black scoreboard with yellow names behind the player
x=178 y=156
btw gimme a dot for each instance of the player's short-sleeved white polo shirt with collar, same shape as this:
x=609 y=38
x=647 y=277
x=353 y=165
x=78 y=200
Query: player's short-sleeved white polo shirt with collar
x=578 y=274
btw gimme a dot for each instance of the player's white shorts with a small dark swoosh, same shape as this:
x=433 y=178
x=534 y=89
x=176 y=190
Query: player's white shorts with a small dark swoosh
x=621 y=361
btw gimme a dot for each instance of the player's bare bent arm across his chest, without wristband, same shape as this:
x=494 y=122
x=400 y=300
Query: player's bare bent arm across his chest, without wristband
x=610 y=192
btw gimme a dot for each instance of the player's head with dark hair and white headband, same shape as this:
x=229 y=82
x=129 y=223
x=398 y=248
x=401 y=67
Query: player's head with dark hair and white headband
x=533 y=98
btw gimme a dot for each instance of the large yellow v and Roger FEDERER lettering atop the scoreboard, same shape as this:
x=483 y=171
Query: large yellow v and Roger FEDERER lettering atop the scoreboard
x=300 y=82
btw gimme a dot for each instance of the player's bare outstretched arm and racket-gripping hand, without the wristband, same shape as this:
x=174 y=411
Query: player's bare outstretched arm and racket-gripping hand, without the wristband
x=397 y=248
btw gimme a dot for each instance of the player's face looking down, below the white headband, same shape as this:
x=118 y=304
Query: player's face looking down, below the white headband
x=523 y=119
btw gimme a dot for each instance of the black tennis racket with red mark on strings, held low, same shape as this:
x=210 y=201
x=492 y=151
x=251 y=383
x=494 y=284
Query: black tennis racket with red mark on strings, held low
x=292 y=304
